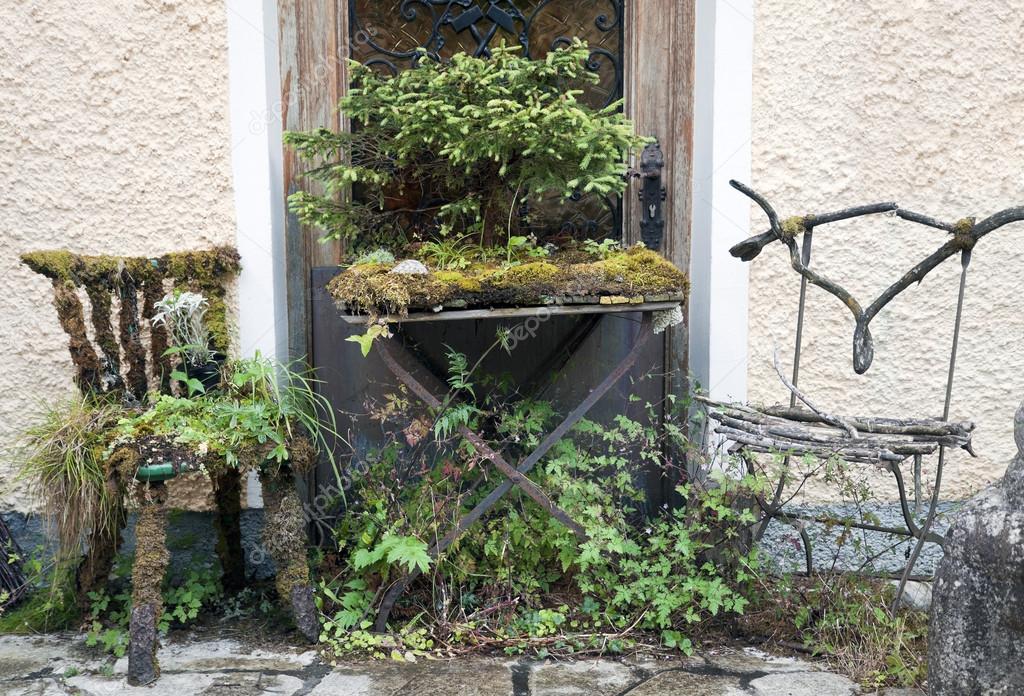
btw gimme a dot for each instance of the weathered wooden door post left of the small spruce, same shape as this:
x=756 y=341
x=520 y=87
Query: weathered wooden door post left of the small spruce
x=314 y=49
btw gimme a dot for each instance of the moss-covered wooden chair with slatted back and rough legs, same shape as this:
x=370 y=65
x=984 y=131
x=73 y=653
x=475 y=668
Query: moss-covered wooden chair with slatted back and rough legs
x=116 y=365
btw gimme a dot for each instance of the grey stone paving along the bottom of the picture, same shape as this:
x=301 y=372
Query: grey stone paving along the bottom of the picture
x=60 y=666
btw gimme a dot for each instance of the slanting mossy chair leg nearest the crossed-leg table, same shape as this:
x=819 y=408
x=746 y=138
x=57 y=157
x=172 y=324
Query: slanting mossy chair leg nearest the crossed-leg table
x=285 y=539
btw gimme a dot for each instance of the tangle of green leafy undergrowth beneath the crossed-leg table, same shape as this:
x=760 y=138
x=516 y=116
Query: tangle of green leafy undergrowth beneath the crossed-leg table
x=520 y=581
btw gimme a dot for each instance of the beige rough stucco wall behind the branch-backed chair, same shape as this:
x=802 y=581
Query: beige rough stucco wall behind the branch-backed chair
x=917 y=102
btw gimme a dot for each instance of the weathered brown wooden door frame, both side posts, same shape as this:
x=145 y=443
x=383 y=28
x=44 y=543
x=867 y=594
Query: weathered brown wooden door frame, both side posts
x=659 y=90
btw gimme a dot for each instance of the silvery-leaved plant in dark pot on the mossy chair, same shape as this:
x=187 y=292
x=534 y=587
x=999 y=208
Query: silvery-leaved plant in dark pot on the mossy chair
x=184 y=315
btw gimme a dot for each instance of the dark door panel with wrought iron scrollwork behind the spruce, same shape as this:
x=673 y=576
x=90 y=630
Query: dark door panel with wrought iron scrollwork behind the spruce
x=392 y=35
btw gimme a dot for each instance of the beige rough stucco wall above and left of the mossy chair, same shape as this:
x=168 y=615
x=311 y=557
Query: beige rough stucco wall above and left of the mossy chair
x=114 y=140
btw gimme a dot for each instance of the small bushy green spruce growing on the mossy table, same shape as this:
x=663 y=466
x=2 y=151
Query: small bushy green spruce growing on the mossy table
x=480 y=136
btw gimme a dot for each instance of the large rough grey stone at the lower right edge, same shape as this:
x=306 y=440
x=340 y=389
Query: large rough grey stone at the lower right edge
x=976 y=637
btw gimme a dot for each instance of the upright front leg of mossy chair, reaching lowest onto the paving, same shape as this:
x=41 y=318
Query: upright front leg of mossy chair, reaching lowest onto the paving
x=148 y=577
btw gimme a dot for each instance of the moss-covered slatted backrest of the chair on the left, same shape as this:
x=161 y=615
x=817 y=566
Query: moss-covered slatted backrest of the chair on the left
x=118 y=361
